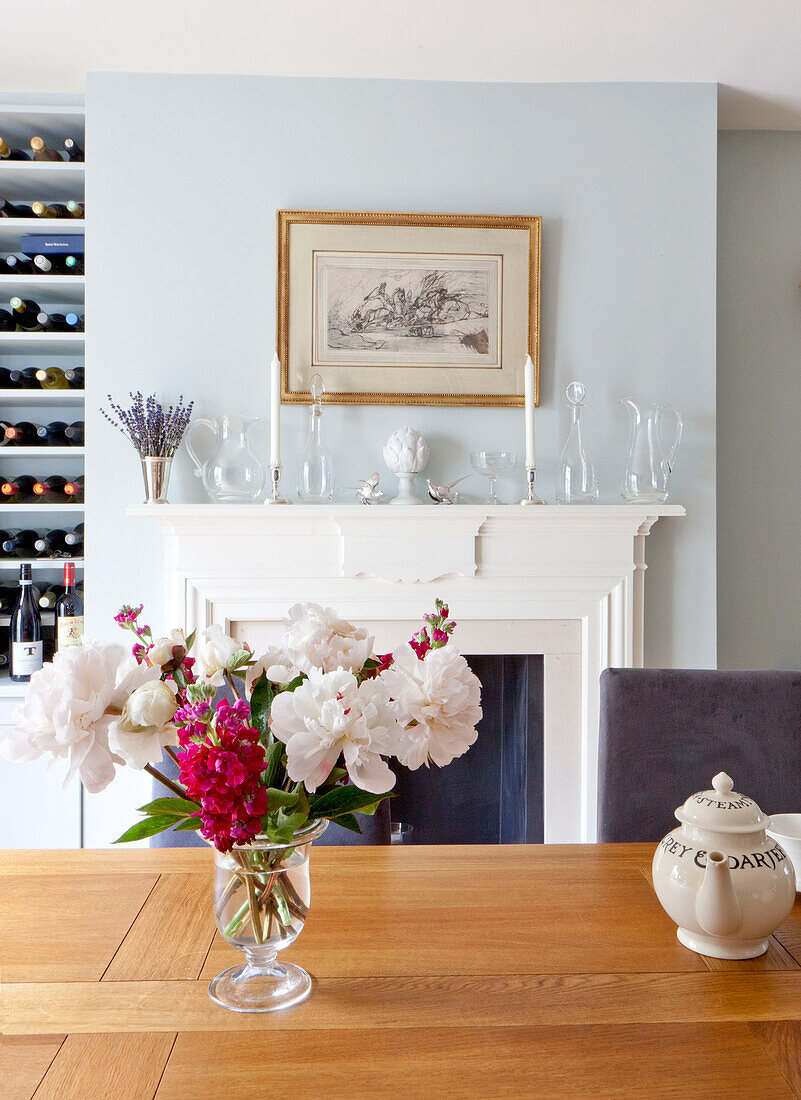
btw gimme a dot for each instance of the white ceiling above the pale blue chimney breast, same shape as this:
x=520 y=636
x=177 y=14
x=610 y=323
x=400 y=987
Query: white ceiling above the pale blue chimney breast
x=751 y=48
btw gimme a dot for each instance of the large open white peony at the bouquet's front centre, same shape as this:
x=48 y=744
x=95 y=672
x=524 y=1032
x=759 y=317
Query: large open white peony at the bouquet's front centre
x=331 y=714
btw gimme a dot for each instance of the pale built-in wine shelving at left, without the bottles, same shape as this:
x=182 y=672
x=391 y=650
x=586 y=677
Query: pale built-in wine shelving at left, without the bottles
x=51 y=182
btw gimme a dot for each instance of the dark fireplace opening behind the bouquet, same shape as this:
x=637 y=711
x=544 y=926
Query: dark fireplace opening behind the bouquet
x=493 y=795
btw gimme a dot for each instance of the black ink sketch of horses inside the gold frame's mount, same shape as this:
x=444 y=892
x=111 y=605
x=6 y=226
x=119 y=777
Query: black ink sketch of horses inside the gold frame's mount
x=407 y=311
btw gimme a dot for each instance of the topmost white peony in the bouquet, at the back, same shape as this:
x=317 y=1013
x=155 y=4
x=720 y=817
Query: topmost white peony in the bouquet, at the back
x=316 y=639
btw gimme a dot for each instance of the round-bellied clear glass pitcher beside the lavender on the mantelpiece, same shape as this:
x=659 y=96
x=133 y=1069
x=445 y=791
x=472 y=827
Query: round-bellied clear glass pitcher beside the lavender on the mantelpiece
x=233 y=474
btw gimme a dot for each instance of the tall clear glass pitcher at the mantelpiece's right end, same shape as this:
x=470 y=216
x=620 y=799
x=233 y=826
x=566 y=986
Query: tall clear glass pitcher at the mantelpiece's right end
x=646 y=479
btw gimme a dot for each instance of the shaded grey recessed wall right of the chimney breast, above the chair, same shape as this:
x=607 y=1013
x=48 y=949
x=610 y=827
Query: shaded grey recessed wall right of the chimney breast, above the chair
x=760 y=399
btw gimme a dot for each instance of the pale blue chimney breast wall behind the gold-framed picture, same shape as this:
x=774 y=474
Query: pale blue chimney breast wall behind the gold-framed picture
x=186 y=173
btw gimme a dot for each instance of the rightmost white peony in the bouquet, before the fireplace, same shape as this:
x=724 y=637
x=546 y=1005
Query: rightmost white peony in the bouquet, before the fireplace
x=438 y=703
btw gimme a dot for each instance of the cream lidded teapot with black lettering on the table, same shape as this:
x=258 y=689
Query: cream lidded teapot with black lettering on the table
x=721 y=878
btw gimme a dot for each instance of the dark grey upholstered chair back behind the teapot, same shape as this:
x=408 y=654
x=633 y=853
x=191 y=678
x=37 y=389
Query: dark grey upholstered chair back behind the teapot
x=665 y=733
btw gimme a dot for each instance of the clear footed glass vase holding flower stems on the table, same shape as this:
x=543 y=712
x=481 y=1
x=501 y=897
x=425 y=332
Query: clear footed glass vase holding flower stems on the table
x=262 y=897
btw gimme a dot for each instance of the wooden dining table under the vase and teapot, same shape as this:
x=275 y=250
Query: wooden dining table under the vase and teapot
x=526 y=971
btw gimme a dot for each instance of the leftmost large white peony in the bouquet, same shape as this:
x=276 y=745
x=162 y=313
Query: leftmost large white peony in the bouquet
x=70 y=707
